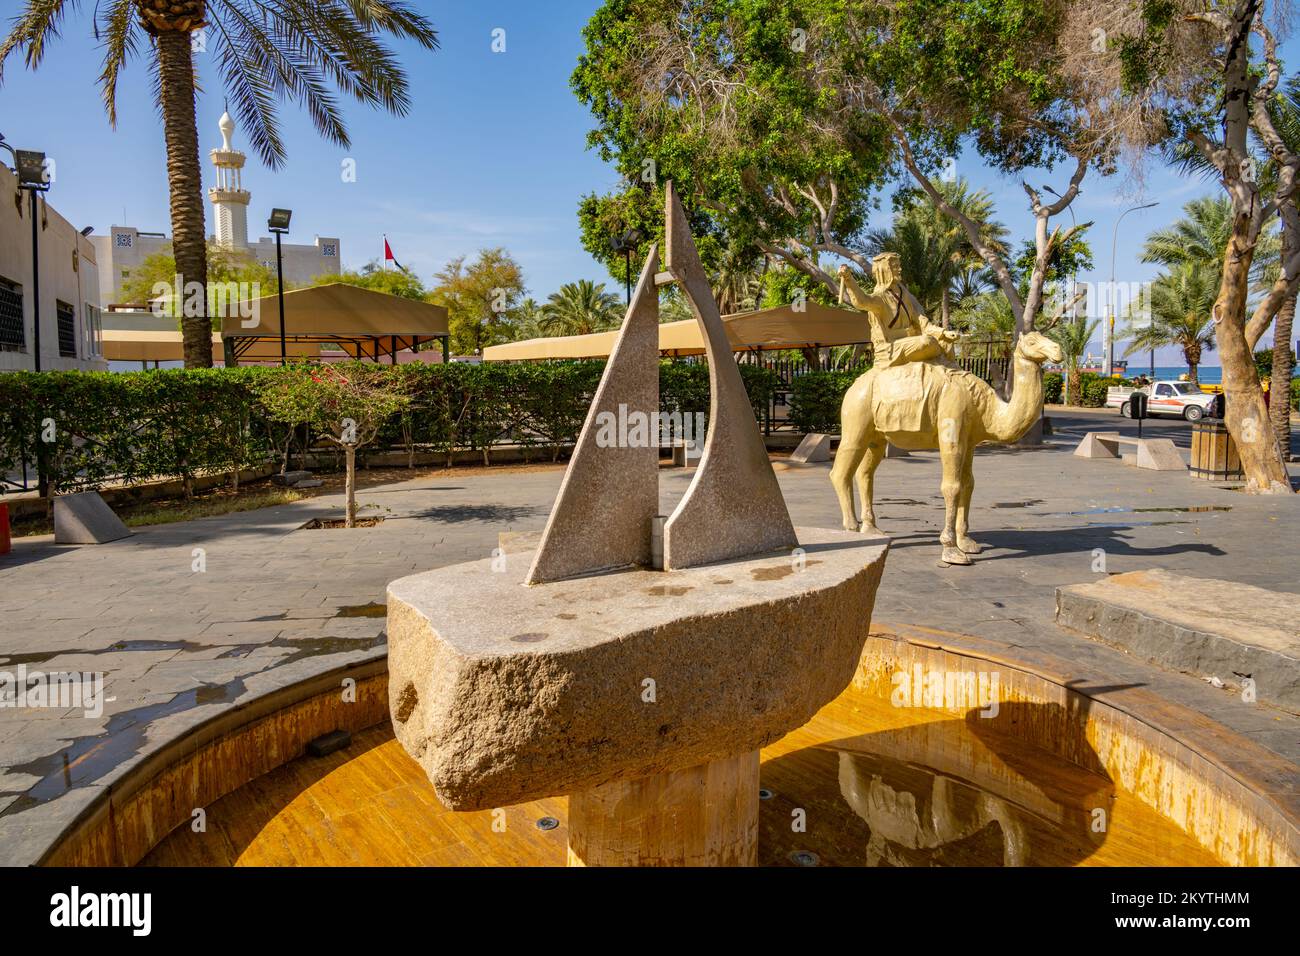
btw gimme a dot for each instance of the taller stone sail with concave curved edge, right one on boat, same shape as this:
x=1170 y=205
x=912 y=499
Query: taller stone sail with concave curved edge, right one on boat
x=734 y=508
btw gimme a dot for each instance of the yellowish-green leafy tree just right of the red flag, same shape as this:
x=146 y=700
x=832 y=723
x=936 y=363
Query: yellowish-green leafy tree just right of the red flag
x=480 y=299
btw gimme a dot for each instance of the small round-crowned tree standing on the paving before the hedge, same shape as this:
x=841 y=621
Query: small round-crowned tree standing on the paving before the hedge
x=346 y=404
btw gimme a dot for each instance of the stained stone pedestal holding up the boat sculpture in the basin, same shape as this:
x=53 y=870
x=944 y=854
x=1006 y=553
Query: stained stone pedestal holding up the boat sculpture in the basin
x=703 y=816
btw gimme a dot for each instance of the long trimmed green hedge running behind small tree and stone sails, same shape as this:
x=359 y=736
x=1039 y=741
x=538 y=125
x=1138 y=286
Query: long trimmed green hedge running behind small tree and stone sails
x=140 y=426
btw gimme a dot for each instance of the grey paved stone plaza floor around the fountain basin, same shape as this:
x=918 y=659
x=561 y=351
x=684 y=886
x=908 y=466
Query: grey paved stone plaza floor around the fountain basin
x=274 y=602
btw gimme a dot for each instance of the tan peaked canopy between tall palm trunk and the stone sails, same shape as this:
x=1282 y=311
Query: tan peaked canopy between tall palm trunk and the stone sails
x=366 y=323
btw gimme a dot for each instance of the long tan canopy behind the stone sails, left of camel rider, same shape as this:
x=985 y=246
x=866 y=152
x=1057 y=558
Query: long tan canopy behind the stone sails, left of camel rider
x=783 y=327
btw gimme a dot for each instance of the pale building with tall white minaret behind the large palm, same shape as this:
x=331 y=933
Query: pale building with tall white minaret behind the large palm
x=125 y=248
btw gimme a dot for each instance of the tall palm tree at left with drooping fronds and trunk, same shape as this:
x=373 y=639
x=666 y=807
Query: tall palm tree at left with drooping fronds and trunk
x=294 y=50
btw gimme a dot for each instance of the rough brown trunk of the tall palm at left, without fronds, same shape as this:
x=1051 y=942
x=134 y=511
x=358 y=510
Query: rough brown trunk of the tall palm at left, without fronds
x=185 y=179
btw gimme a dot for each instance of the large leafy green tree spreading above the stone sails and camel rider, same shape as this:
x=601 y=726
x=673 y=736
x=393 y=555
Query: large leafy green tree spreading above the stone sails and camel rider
x=781 y=119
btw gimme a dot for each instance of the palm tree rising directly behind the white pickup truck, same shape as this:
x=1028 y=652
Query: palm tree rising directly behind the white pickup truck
x=1182 y=305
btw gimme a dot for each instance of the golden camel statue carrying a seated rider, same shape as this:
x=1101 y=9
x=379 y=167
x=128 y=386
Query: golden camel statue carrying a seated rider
x=920 y=405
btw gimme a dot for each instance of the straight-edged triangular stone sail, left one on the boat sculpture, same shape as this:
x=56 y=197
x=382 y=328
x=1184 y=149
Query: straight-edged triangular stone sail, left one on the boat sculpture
x=610 y=496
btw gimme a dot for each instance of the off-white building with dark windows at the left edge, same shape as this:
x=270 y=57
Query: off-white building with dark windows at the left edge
x=70 y=288
